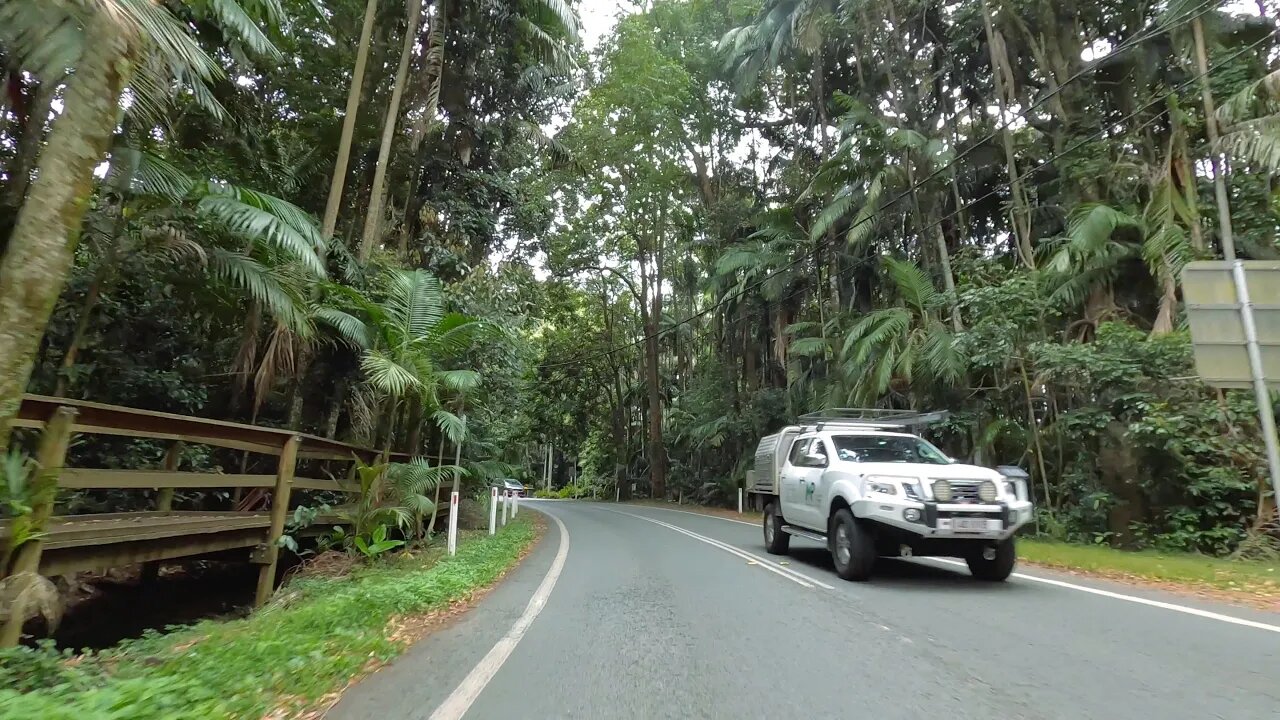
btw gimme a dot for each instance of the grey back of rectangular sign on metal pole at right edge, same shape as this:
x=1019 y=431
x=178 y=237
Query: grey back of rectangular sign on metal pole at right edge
x=1218 y=332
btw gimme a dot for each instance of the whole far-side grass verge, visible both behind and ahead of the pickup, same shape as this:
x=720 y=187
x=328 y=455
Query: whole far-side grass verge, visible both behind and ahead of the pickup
x=1229 y=581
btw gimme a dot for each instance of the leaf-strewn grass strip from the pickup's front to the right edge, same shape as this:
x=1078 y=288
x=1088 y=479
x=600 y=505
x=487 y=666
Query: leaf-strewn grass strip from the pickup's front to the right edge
x=1168 y=568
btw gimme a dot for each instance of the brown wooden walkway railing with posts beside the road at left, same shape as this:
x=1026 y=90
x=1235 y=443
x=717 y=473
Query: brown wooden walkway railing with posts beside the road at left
x=107 y=541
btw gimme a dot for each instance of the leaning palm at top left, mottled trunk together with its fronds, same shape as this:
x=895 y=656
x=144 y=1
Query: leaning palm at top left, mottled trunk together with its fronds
x=111 y=45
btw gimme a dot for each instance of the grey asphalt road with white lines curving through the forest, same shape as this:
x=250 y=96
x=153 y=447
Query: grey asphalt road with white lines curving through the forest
x=659 y=614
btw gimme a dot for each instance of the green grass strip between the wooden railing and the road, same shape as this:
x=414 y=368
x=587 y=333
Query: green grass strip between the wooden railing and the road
x=317 y=636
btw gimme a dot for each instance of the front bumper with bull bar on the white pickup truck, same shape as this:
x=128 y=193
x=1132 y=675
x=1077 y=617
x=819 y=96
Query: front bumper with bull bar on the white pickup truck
x=944 y=521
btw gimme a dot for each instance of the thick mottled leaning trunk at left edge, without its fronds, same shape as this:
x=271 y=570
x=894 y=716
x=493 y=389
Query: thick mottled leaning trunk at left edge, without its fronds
x=44 y=239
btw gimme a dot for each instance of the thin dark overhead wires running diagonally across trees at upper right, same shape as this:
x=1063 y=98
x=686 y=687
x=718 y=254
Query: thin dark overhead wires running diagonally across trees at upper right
x=1206 y=7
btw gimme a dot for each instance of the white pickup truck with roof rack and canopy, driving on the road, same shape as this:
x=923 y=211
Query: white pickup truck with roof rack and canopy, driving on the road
x=854 y=481
